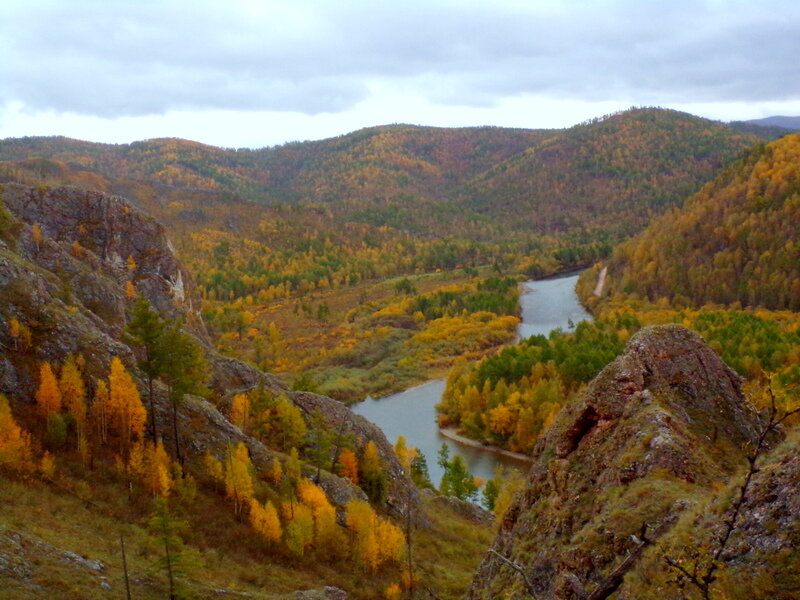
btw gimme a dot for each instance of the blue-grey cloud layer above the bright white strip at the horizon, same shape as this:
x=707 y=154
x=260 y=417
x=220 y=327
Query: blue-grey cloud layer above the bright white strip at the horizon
x=134 y=58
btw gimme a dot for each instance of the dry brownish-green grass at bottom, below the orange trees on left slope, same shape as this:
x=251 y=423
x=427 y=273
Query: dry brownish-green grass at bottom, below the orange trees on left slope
x=51 y=518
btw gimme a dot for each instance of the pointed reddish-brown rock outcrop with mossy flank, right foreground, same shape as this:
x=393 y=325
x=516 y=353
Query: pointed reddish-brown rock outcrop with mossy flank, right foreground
x=656 y=429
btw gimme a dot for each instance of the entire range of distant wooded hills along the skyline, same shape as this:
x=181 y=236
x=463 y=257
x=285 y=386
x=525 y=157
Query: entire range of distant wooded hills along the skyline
x=602 y=179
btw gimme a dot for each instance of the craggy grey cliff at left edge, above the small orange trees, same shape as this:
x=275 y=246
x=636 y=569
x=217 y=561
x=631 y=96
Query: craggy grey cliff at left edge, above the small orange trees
x=68 y=286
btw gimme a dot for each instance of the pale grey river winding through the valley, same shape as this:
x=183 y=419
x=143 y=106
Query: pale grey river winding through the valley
x=547 y=304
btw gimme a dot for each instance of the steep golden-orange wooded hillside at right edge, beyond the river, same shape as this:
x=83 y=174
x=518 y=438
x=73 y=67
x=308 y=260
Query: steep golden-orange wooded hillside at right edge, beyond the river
x=735 y=241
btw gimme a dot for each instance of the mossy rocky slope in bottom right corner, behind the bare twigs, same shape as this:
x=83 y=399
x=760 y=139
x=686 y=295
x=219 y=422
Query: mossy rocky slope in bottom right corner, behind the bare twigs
x=760 y=559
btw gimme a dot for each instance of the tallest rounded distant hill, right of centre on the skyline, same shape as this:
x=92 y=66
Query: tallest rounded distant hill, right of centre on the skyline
x=609 y=177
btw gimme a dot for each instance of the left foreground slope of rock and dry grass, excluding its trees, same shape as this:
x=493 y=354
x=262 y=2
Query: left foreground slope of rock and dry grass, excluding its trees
x=66 y=259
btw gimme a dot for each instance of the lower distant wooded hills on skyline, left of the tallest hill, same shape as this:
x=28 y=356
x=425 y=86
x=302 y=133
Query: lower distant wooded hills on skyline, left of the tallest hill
x=377 y=160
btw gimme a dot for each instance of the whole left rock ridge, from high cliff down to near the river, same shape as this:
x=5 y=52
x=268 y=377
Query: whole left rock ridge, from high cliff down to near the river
x=67 y=283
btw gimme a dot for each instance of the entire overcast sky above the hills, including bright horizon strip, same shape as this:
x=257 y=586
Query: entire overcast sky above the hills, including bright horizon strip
x=256 y=73
